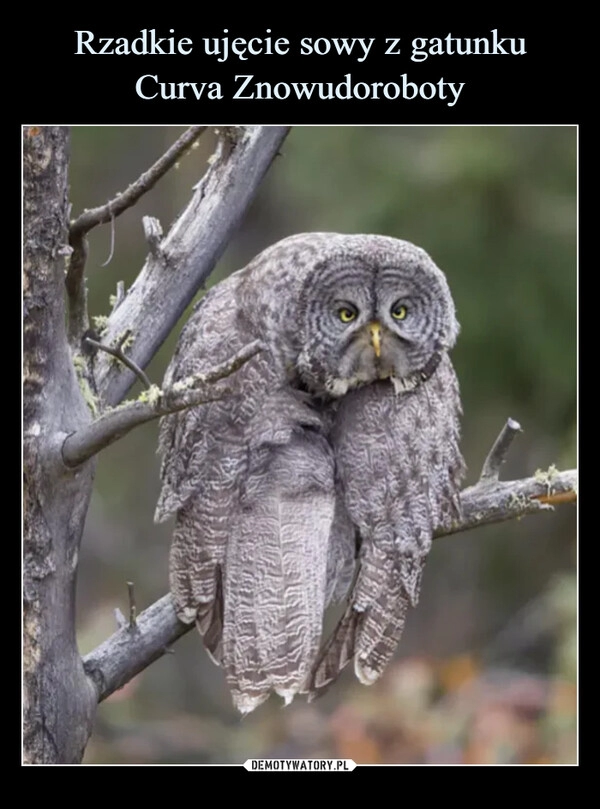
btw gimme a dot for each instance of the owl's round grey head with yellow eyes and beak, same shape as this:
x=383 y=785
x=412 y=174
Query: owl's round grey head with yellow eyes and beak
x=371 y=307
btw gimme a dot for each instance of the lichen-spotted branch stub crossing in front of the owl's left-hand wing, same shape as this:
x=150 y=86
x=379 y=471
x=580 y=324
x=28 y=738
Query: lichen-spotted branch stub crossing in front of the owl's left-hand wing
x=190 y=392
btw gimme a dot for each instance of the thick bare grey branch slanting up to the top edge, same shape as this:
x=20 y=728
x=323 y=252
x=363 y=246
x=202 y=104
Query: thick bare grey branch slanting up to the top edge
x=177 y=267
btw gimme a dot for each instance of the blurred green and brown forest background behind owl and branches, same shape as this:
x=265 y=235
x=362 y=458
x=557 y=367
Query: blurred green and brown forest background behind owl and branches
x=486 y=671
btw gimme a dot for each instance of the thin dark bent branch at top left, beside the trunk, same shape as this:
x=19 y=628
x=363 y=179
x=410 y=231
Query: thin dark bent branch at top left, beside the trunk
x=78 y=318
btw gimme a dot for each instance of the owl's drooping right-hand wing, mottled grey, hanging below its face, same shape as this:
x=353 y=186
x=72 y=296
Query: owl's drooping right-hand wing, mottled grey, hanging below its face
x=400 y=467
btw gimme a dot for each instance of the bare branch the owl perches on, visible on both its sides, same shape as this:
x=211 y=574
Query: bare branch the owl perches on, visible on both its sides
x=126 y=653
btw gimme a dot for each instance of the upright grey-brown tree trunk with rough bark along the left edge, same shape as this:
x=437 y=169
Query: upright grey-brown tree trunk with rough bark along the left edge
x=59 y=700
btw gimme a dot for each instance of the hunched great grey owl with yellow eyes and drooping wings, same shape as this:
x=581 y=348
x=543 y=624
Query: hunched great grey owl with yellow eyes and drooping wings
x=326 y=471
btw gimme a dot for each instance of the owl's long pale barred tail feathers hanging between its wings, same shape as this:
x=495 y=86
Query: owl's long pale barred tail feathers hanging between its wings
x=275 y=595
